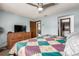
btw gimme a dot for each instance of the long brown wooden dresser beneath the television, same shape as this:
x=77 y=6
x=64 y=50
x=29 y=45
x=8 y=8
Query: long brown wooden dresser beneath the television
x=14 y=37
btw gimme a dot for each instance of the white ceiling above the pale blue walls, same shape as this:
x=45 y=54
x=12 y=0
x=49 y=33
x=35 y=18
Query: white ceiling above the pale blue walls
x=26 y=10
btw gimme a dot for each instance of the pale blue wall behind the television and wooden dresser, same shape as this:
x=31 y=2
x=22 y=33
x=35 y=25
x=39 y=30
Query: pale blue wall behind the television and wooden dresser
x=7 y=21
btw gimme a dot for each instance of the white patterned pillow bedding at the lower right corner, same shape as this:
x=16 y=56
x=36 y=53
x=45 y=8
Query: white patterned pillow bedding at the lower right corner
x=72 y=45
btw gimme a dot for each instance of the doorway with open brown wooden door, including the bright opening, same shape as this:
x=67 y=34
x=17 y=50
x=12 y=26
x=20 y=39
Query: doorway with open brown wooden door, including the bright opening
x=35 y=28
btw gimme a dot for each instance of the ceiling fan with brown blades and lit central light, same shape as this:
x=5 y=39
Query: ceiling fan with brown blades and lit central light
x=42 y=6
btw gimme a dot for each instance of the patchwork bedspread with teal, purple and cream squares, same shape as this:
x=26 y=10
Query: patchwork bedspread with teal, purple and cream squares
x=40 y=46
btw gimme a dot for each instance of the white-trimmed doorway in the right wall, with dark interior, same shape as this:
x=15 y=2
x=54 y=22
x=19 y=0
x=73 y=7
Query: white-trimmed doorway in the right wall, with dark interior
x=65 y=25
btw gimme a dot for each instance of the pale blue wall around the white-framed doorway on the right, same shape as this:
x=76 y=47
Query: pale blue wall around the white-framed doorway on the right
x=50 y=23
